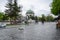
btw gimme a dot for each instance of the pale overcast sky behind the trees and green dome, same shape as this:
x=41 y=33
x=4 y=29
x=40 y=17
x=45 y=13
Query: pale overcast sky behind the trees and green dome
x=38 y=6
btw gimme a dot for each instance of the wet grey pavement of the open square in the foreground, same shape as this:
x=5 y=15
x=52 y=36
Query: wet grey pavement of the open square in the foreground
x=32 y=31
